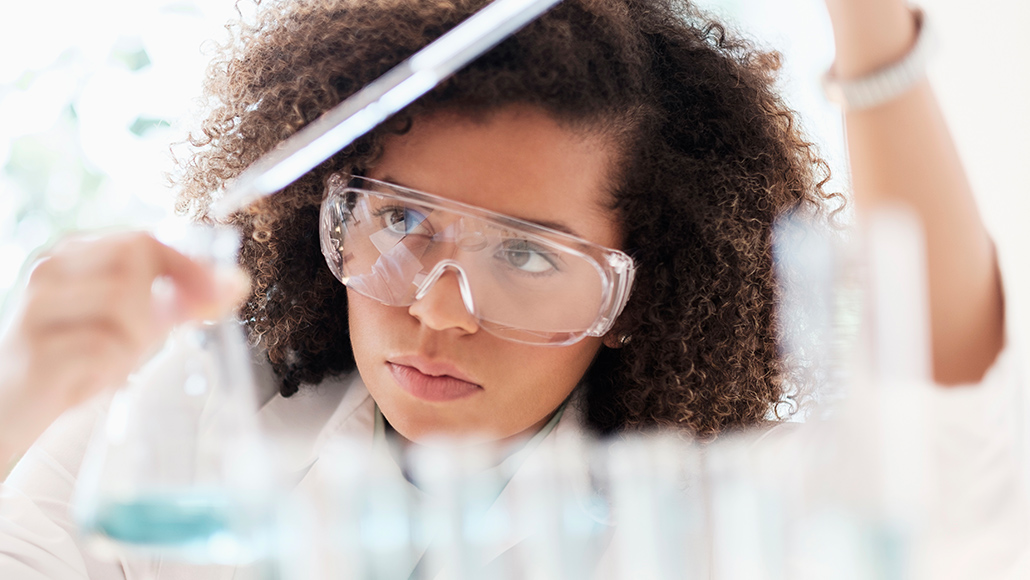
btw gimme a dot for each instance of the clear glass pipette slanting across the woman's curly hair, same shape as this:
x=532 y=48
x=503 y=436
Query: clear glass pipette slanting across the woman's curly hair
x=364 y=111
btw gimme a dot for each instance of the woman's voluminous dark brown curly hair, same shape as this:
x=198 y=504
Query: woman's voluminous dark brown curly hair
x=711 y=157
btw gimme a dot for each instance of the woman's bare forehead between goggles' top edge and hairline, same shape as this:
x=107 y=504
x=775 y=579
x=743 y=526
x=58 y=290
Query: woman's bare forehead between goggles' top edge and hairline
x=518 y=161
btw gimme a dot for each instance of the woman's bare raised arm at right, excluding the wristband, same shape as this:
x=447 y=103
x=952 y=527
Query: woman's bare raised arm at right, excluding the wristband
x=902 y=152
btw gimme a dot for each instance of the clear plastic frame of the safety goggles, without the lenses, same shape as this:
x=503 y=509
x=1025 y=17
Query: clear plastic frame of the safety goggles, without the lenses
x=615 y=268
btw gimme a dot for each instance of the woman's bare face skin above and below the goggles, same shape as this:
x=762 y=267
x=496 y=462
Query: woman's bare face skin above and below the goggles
x=430 y=367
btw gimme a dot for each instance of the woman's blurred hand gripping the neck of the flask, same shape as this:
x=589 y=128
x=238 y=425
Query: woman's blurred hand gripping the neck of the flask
x=88 y=319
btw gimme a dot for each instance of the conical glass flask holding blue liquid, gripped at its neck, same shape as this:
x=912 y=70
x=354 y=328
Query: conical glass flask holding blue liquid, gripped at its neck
x=178 y=468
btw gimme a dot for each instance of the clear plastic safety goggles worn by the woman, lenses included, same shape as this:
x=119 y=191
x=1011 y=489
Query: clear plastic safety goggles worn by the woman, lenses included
x=522 y=282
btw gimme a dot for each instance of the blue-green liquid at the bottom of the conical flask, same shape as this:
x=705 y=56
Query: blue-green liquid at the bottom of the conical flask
x=173 y=521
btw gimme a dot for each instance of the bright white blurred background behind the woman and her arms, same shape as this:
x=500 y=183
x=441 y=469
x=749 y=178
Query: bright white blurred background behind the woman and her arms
x=92 y=95
